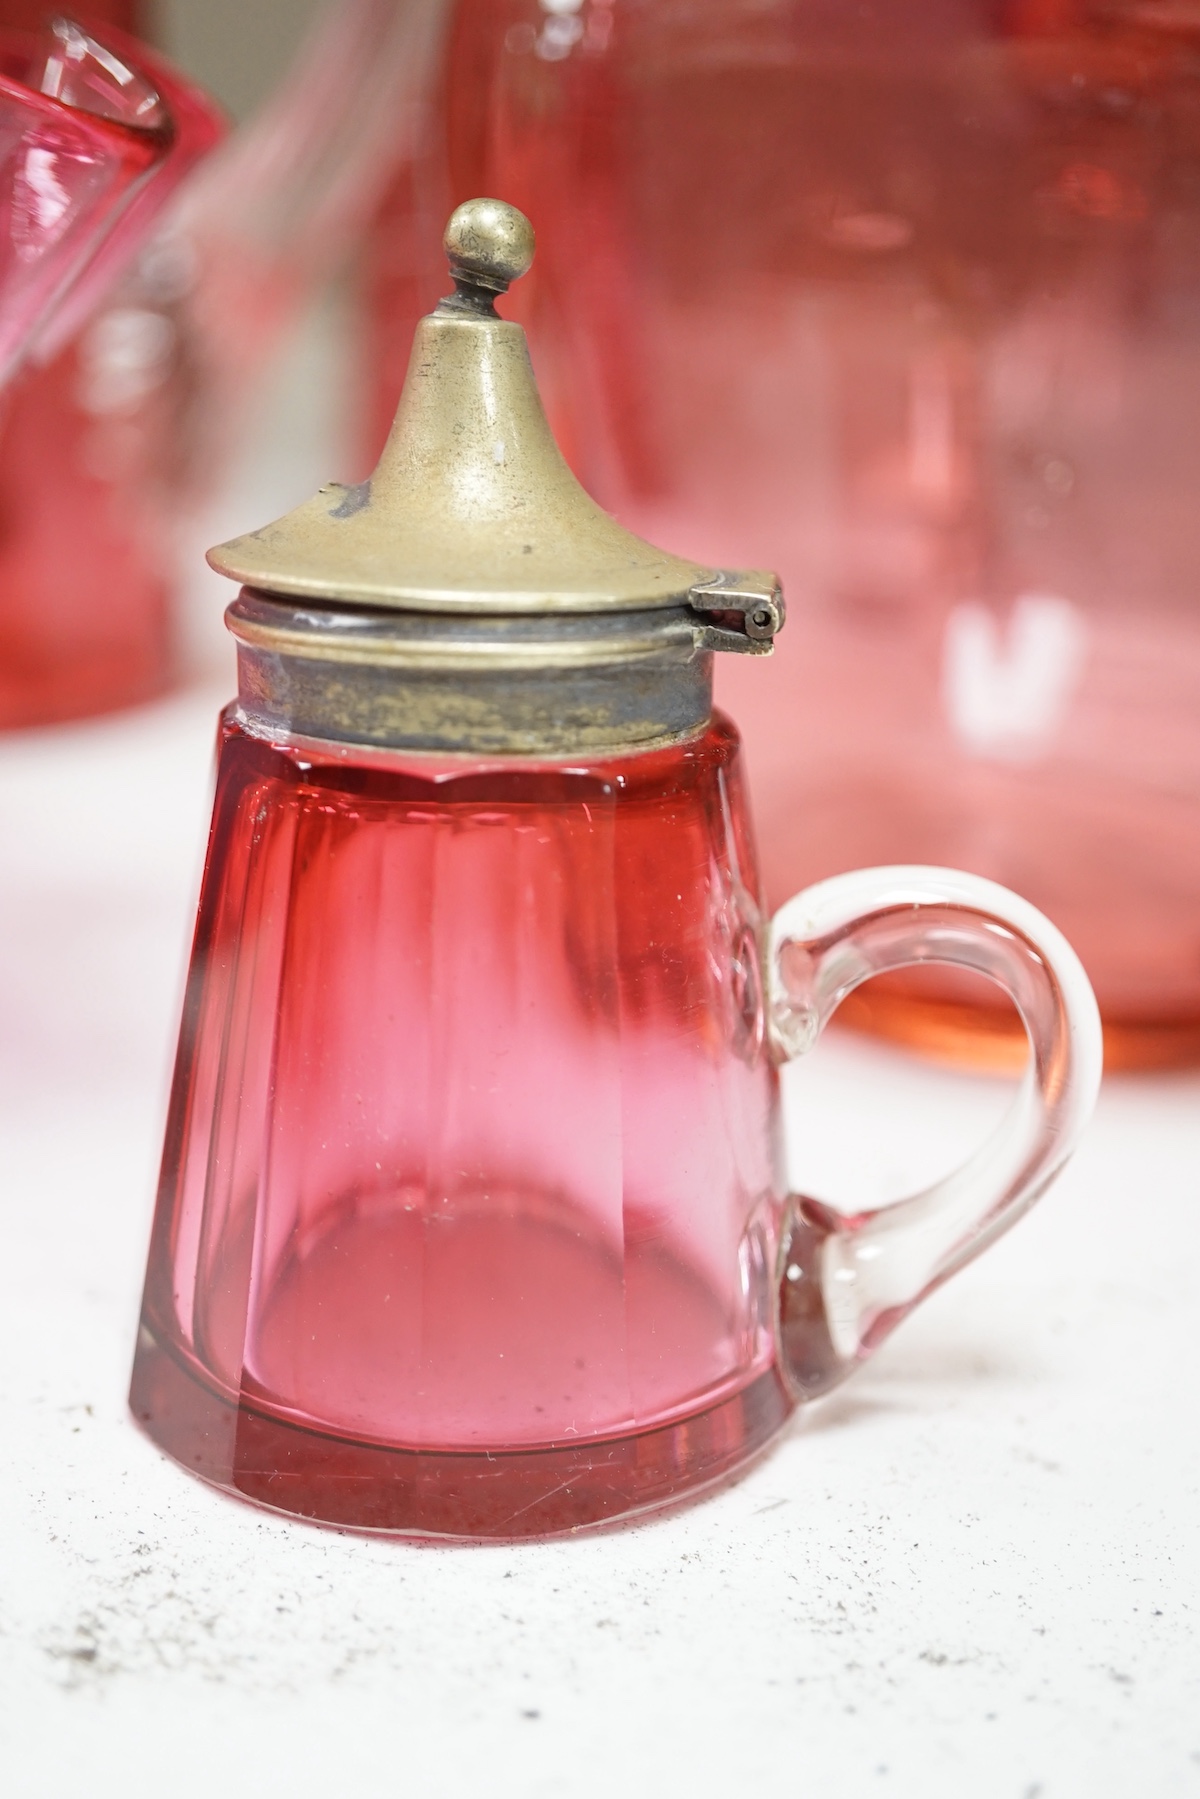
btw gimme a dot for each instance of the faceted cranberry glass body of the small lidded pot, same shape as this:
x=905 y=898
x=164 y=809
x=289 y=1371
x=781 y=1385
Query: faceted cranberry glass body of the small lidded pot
x=469 y=1208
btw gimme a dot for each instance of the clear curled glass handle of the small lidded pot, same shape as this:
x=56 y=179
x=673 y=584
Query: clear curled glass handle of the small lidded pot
x=848 y=1280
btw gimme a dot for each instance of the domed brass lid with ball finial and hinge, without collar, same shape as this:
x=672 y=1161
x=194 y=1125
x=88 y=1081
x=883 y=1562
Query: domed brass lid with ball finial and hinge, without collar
x=472 y=508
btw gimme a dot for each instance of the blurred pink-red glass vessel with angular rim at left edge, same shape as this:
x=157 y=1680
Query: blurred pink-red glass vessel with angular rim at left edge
x=96 y=138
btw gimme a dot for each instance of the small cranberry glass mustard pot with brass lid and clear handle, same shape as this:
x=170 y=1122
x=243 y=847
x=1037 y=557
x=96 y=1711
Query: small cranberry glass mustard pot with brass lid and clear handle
x=472 y=1219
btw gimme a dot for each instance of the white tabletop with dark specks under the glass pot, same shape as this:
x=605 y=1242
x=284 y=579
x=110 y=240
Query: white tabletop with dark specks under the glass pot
x=971 y=1573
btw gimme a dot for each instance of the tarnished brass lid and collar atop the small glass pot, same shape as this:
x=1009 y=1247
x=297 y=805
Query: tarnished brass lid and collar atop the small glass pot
x=472 y=595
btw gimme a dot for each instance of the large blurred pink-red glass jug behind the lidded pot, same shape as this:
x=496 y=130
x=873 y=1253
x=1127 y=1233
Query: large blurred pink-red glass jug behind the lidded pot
x=906 y=298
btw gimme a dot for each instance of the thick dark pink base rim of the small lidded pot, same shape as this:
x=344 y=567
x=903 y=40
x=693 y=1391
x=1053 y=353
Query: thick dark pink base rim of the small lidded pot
x=487 y=1498
